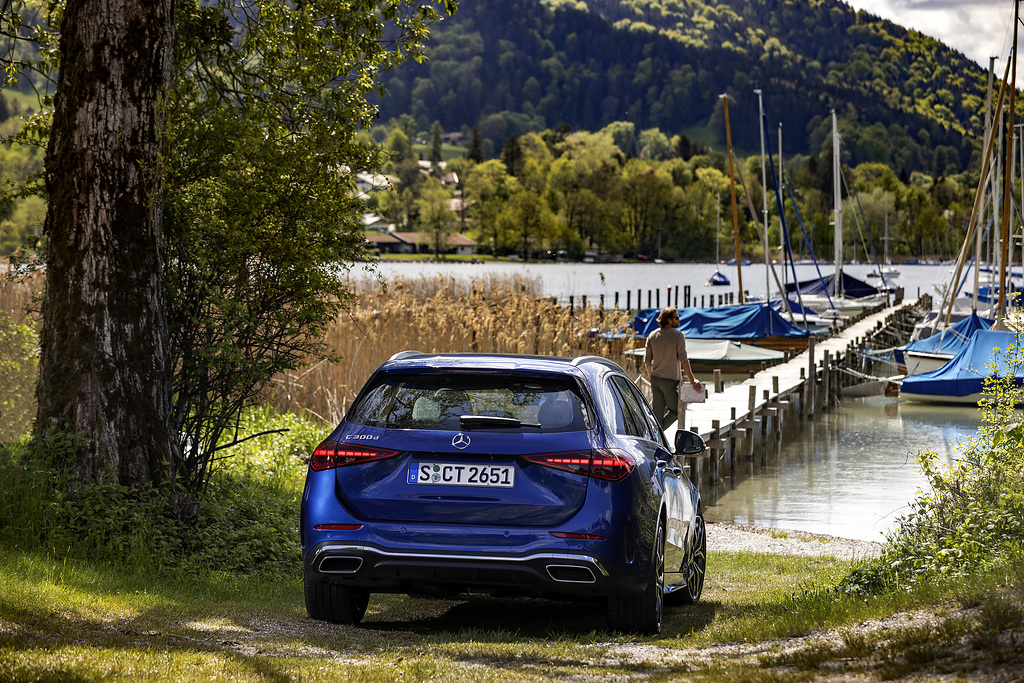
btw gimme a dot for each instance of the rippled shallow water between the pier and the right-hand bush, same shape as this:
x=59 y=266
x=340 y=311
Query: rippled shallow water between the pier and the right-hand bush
x=850 y=474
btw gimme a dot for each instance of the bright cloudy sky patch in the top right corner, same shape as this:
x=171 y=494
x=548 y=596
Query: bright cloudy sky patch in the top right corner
x=979 y=29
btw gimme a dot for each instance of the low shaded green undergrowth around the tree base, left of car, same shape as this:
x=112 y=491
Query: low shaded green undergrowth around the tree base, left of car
x=246 y=523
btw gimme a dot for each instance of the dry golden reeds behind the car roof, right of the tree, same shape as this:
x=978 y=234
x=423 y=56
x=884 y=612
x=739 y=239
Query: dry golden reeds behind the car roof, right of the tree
x=442 y=316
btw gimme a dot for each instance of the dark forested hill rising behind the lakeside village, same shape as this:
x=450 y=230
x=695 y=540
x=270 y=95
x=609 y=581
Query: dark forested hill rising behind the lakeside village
x=515 y=66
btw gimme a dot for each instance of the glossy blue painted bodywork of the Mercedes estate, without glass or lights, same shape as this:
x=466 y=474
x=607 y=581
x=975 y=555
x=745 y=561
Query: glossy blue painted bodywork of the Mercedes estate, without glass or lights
x=624 y=515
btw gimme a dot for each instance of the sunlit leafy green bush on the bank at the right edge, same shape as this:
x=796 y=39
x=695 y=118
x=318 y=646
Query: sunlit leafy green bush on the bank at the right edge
x=972 y=517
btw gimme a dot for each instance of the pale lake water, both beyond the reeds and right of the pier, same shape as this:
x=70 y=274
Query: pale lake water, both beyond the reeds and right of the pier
x=850 y=474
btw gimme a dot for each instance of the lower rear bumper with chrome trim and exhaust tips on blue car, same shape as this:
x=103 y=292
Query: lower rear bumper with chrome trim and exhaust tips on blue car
x=383 y=570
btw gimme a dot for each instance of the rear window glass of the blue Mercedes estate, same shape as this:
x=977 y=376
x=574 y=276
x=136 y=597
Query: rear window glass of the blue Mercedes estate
x=439 y=401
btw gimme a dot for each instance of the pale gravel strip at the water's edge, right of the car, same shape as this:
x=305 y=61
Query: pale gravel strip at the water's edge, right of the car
x=731 y=538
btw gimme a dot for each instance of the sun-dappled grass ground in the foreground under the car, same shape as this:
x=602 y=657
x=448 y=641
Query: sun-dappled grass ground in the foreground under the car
x=76 y=621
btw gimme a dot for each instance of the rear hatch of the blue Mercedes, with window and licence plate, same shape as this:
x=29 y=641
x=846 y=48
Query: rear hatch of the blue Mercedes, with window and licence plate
x=466 y=449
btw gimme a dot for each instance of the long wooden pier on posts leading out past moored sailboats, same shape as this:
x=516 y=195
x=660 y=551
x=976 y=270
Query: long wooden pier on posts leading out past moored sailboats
x=749 y=416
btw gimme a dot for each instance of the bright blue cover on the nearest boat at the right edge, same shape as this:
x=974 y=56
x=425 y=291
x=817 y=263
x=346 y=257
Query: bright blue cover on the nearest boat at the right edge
x=965 y=374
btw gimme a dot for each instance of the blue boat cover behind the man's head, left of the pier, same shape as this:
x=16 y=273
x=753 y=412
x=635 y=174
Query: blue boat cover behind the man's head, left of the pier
x=745 y=323
